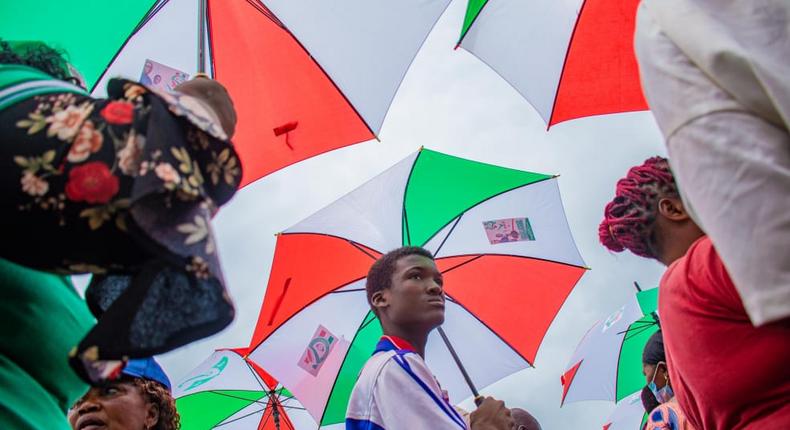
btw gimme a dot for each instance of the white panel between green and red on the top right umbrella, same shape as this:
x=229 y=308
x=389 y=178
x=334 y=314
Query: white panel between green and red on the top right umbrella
x=525 y=42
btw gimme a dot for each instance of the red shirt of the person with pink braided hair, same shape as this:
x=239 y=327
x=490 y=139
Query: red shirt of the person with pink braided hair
x=726 y=373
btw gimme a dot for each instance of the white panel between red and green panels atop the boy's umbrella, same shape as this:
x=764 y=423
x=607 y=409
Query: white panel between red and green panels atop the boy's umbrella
x=370 y=215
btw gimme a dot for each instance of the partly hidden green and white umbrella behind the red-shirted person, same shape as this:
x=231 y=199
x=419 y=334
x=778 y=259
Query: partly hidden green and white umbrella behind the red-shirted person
x=607 y=364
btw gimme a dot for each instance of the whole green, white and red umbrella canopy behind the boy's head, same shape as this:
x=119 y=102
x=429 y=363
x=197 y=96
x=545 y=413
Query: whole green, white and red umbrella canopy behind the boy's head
x=499 y=236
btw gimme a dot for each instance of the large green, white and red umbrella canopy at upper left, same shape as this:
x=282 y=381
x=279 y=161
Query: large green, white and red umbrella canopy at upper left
x=306 y=76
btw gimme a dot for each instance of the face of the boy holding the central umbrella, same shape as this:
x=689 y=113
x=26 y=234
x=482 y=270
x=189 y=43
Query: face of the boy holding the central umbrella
x=416 y=297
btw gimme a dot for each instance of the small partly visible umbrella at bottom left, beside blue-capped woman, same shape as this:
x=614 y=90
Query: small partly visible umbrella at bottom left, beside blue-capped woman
x=227 y=391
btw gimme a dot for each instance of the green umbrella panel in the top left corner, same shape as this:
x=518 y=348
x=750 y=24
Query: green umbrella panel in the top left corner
x=89 y=31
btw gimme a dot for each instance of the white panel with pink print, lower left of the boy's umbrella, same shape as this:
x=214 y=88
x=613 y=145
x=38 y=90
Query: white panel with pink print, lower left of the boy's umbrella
x=341 y=314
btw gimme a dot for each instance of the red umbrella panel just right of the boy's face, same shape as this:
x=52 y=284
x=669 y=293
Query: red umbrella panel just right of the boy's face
x=516 y=297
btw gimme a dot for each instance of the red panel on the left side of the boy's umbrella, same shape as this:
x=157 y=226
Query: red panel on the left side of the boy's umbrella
x=306 y=267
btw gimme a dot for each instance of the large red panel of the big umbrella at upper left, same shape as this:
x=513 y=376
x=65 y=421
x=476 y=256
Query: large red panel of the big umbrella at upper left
x=274 y=83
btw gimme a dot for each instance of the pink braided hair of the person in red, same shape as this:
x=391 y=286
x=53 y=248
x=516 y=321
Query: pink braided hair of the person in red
x=629 y=217
